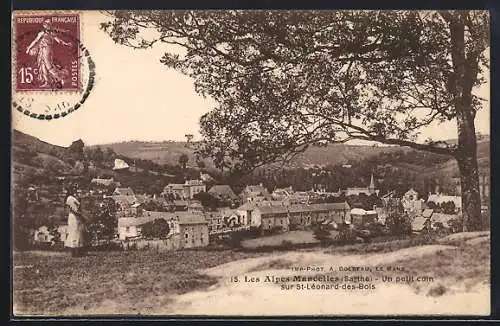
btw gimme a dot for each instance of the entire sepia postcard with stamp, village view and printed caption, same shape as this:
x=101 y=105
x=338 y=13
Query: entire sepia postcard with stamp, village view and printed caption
x=251 y=163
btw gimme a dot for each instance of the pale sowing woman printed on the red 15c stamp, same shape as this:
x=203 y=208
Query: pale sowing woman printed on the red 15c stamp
x=49 y=73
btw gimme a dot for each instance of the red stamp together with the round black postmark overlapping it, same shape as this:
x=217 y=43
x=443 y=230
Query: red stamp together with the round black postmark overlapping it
x=52 y=71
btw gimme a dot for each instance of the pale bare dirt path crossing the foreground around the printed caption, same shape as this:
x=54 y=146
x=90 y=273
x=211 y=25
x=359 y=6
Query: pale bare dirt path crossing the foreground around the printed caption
x=263 y=298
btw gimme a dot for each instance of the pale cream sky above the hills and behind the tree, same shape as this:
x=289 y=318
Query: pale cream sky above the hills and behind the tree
x=135 y=97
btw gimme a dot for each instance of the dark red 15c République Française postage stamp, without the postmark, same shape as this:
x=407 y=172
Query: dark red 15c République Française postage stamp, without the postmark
x=47 y=52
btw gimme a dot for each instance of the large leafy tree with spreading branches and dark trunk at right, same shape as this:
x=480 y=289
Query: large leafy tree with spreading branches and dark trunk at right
x=290 y=79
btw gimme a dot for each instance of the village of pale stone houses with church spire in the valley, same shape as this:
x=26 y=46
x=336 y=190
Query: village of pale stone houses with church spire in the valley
x=191 y=222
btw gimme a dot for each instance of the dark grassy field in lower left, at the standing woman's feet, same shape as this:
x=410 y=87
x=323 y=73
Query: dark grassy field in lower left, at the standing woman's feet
x=52 y=282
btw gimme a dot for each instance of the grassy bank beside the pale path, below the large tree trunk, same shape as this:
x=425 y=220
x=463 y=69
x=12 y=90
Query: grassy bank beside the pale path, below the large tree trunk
x=467 y=264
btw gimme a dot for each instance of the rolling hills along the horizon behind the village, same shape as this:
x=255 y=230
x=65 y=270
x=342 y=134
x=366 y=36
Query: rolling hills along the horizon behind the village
x=33 y=156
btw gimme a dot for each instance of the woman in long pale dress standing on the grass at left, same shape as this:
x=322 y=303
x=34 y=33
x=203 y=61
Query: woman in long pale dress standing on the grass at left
x=76 y=224
